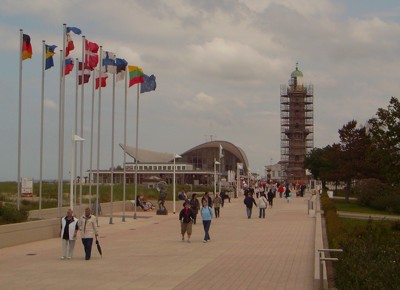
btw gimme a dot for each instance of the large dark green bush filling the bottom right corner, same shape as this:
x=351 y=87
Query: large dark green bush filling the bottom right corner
x=370 y=259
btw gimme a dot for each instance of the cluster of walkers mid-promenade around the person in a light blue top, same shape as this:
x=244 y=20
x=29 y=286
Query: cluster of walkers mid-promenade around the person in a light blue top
x=191 y=208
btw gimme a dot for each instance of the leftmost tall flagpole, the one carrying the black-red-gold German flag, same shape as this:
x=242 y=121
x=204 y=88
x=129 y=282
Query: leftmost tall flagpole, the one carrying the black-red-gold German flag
x=19 y=119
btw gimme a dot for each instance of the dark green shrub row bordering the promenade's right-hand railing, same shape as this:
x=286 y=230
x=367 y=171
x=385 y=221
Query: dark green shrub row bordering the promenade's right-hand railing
x=371 y=256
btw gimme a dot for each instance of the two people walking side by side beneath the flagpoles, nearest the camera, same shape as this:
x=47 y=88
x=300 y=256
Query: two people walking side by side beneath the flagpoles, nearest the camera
x=69 y=227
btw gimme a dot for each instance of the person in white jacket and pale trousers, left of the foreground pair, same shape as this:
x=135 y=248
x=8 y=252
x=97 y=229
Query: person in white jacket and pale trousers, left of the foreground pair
x=68 y=231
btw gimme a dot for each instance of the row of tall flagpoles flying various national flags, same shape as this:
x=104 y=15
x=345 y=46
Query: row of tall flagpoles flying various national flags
x=137 y=77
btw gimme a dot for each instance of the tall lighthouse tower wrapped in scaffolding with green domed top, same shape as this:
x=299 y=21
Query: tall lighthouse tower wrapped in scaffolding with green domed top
x=297 y=126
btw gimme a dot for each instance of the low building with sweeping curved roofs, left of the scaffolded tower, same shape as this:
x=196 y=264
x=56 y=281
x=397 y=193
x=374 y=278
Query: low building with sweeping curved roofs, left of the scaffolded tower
x=194 y=166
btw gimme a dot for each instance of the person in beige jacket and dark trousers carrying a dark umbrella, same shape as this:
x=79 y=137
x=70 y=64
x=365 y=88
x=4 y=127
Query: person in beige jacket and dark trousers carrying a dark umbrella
x=88 y=229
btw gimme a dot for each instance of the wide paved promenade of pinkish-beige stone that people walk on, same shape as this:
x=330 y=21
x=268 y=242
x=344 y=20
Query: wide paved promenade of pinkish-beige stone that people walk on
x=147 y=253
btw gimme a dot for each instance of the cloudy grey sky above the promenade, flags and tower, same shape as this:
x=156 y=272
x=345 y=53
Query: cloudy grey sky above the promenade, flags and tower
x=219 y=66
